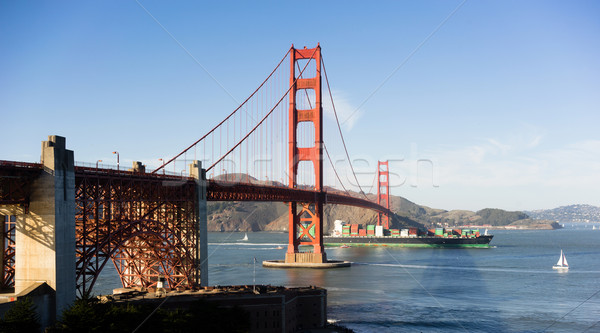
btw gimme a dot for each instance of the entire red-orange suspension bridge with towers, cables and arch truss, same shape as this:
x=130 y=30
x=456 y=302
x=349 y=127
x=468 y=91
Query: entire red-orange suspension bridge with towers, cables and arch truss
x=149 y=224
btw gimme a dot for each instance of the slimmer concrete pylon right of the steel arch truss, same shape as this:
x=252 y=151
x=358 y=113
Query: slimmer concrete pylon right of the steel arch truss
x=199 y=174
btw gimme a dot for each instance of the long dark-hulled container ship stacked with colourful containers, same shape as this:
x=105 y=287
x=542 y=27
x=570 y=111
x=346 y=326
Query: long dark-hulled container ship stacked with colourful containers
x=354 y=235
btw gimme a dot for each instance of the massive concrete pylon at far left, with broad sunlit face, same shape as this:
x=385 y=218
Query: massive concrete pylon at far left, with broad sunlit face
x=45 y=237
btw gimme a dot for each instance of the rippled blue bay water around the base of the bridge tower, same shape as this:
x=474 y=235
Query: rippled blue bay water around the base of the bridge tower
x=508 y=288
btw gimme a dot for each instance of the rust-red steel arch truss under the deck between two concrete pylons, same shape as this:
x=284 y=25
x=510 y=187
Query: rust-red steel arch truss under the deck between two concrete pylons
x=146 y=224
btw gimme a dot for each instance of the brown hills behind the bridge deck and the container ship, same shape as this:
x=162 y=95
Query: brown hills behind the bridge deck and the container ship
x=273 y=216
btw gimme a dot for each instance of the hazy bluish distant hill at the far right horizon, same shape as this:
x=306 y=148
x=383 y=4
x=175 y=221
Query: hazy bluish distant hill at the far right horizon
x=569 y=214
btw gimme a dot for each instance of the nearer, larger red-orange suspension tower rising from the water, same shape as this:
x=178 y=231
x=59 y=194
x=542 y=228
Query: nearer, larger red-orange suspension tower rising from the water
x=306 y=219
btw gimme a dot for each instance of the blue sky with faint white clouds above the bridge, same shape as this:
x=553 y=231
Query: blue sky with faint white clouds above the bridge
x=475 y=103
